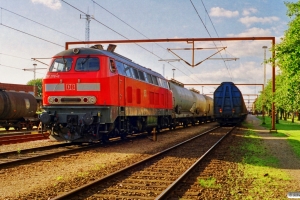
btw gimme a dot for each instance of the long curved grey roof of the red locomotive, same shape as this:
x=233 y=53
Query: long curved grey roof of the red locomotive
x=92 y=51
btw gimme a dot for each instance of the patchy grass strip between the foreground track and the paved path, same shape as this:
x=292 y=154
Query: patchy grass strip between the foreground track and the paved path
x=259 y=170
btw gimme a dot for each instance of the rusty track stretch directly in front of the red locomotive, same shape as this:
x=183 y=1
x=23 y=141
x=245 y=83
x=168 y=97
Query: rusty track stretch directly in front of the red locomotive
x=20 y=157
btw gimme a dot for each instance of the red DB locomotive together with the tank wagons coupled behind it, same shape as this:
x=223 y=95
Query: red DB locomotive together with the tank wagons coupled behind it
x=92 y=94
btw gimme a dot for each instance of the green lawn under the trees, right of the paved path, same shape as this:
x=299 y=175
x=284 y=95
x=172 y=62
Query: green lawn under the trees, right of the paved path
x=288 y=129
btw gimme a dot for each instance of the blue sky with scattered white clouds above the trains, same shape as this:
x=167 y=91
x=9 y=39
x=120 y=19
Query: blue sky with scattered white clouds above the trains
x=39 y=29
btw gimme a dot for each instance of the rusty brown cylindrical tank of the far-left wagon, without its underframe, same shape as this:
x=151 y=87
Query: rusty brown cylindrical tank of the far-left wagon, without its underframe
x=15 y=105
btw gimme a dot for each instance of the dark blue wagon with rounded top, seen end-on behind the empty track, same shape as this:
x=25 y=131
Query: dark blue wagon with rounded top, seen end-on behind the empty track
x=229 y=105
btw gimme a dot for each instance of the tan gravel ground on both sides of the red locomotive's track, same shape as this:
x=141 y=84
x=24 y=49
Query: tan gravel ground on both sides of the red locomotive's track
x=40 y=179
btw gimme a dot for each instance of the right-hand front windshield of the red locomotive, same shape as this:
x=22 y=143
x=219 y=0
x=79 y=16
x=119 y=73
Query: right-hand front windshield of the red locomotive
x=87 y=64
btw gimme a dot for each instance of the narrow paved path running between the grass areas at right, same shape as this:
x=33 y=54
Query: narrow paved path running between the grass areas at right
x=279 y=148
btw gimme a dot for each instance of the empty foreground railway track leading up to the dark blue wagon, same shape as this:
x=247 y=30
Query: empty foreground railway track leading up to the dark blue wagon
x=154 y=177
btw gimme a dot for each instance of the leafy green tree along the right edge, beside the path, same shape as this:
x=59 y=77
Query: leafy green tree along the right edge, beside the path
x=288 y=60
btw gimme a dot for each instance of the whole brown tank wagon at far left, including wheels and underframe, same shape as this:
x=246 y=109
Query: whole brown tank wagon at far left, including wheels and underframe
x=18 y=110
